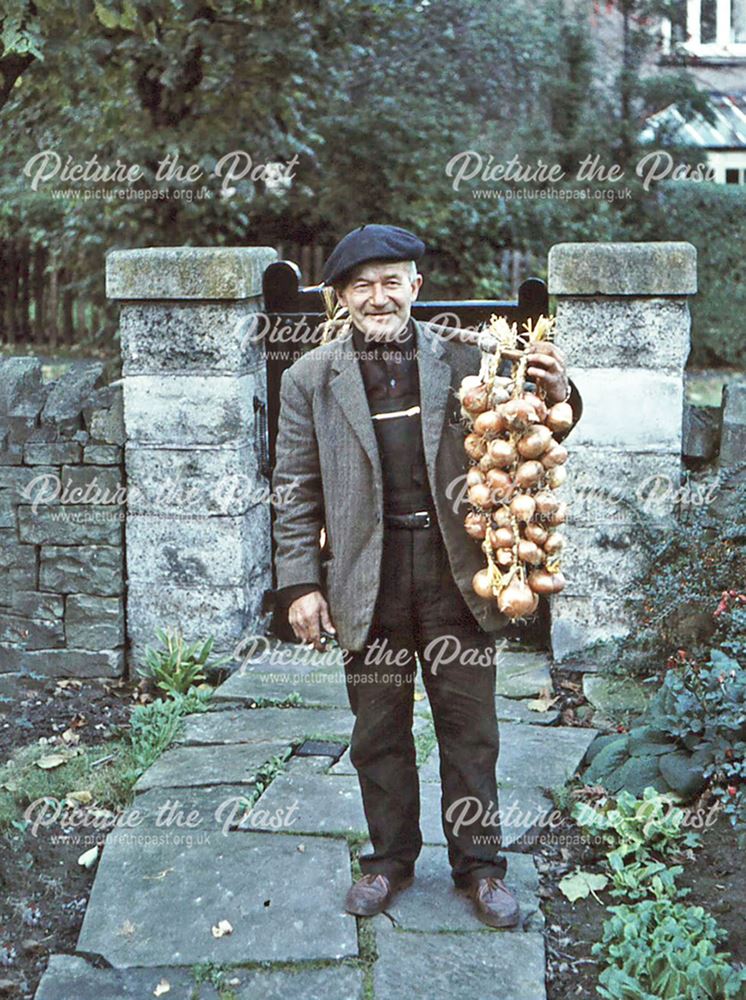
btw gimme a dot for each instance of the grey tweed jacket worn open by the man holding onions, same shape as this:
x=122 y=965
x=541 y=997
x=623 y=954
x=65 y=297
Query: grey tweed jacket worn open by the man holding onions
x=328 y=473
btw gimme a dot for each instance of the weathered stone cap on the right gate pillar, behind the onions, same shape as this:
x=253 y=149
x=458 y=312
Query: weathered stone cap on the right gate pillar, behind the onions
x=623 y=269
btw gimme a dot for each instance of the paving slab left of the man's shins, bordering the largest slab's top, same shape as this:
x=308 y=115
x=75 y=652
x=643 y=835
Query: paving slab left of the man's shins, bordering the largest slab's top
x=319 y=803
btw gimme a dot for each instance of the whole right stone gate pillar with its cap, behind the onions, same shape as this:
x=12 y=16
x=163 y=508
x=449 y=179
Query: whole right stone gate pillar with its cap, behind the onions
x=623 y=323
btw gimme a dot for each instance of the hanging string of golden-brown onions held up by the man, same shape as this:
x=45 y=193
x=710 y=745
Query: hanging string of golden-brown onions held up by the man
x=516 y=464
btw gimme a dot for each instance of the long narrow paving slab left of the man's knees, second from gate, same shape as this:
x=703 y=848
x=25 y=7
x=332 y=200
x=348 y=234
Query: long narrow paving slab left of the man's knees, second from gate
x=260 y=725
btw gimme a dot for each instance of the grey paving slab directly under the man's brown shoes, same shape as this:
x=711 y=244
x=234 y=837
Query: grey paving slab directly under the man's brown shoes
x=432 y=902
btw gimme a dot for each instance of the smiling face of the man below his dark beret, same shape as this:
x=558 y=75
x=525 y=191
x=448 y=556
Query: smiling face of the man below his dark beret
x=379 y=297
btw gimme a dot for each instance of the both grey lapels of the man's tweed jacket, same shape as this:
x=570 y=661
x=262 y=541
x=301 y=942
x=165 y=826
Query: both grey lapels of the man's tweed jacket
x=435 y=382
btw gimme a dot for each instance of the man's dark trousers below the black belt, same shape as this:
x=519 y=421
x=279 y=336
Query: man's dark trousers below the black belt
x=420 y=612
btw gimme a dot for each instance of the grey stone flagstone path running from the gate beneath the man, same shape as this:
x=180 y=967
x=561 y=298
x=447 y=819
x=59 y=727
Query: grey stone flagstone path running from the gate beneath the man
x=251 y=818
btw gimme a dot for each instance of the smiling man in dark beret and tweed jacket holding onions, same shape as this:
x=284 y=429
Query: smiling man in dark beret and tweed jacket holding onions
x=370 y=446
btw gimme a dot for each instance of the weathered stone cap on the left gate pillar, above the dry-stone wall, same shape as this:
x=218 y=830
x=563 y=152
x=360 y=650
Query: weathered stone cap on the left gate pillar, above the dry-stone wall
x=187 y=272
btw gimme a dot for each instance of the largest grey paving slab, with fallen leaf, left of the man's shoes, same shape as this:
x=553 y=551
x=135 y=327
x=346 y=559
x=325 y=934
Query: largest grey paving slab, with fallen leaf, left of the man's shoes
x=154 y=903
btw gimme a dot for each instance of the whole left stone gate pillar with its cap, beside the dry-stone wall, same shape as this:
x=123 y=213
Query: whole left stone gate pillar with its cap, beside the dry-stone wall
x=197 y=529
